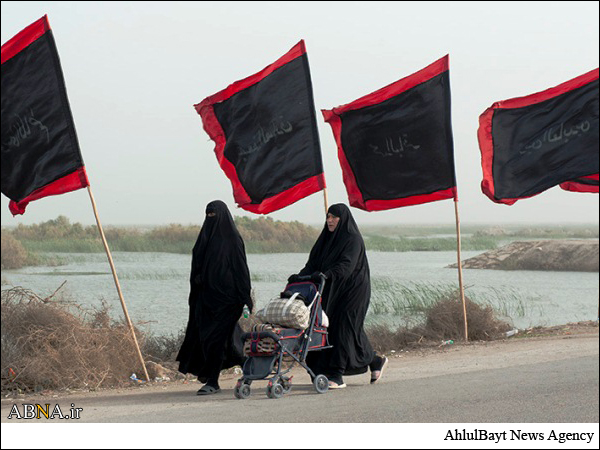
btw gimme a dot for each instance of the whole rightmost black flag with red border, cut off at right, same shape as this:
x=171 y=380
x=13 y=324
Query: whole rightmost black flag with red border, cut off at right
x=530 y=144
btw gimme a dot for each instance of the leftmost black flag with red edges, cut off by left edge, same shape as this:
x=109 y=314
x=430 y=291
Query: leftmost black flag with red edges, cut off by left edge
x=40 y=151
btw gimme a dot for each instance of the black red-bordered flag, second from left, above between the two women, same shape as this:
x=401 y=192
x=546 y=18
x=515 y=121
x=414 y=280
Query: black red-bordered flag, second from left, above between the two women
x=265 y=132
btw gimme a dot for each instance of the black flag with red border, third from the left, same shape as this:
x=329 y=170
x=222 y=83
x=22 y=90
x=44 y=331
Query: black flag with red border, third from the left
x=395 y=145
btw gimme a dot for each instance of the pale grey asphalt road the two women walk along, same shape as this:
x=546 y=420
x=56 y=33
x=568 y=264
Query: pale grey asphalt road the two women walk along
x=541 y=380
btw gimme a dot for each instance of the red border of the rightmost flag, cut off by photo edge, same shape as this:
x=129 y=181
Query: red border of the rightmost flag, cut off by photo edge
x=484 y=133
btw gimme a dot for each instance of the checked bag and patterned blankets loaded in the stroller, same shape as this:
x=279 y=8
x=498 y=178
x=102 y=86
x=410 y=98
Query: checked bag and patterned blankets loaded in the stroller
x=290 y=310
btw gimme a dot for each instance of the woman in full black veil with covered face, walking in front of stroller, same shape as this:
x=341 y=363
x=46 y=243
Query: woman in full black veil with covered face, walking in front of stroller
x=220 y=287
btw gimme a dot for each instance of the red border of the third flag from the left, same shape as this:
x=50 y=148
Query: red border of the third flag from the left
x=333 y=118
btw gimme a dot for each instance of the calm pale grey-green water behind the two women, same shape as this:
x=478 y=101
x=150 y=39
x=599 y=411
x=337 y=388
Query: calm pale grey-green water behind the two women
x=155 y=285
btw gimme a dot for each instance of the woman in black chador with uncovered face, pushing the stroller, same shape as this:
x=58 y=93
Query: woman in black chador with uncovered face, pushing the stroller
x=340 y=254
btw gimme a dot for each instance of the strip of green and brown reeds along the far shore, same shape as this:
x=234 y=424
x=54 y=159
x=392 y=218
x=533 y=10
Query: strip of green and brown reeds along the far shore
x=27 y=245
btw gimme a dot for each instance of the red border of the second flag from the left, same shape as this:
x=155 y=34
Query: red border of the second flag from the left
x=212 y=126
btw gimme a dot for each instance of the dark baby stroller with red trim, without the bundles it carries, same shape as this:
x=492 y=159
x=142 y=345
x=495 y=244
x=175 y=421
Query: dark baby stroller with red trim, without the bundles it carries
x=290 y=343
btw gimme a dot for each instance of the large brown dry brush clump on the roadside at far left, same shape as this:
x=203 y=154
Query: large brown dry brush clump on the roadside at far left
x=50 y=343
